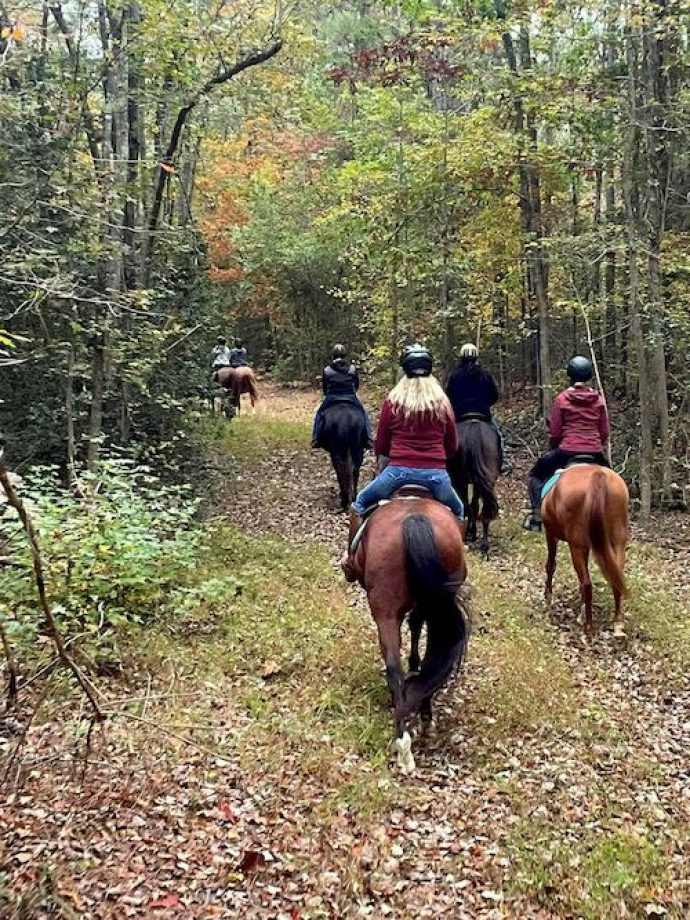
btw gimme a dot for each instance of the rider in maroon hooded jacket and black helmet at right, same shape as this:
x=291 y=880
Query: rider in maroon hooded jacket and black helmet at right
x=579 y=425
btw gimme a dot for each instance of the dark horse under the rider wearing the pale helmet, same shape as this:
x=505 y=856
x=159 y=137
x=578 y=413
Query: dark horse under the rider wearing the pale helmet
x=477 y=463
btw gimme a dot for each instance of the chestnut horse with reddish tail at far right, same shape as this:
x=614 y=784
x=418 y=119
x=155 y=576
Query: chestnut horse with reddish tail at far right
x=588 y=509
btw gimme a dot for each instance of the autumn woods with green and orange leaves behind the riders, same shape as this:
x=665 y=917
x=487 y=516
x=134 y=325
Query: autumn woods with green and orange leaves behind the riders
x=369 y=172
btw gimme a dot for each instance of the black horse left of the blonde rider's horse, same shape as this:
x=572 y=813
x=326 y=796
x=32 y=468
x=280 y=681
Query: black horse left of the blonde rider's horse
x=344 y=436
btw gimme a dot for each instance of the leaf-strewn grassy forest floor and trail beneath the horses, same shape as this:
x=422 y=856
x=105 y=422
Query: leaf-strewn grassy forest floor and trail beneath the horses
x=246 y=770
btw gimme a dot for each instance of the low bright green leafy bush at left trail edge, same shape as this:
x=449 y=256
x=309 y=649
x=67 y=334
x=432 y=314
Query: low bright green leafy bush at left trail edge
x=110 y=559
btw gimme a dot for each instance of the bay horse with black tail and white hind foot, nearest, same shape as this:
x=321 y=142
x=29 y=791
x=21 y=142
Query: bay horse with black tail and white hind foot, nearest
x=410 y=560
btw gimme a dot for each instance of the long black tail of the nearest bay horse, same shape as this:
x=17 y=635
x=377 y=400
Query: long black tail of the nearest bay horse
x=435 y=597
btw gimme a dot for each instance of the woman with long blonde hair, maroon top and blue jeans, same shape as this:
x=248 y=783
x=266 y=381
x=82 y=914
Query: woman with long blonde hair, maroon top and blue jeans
x=417 y=434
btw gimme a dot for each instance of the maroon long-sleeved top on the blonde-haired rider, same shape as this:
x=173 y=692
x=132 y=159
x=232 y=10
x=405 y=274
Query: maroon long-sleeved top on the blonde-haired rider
x=420 y=441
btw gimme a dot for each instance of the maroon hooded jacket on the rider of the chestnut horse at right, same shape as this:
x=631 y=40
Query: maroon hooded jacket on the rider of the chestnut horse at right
x=579 y=420
